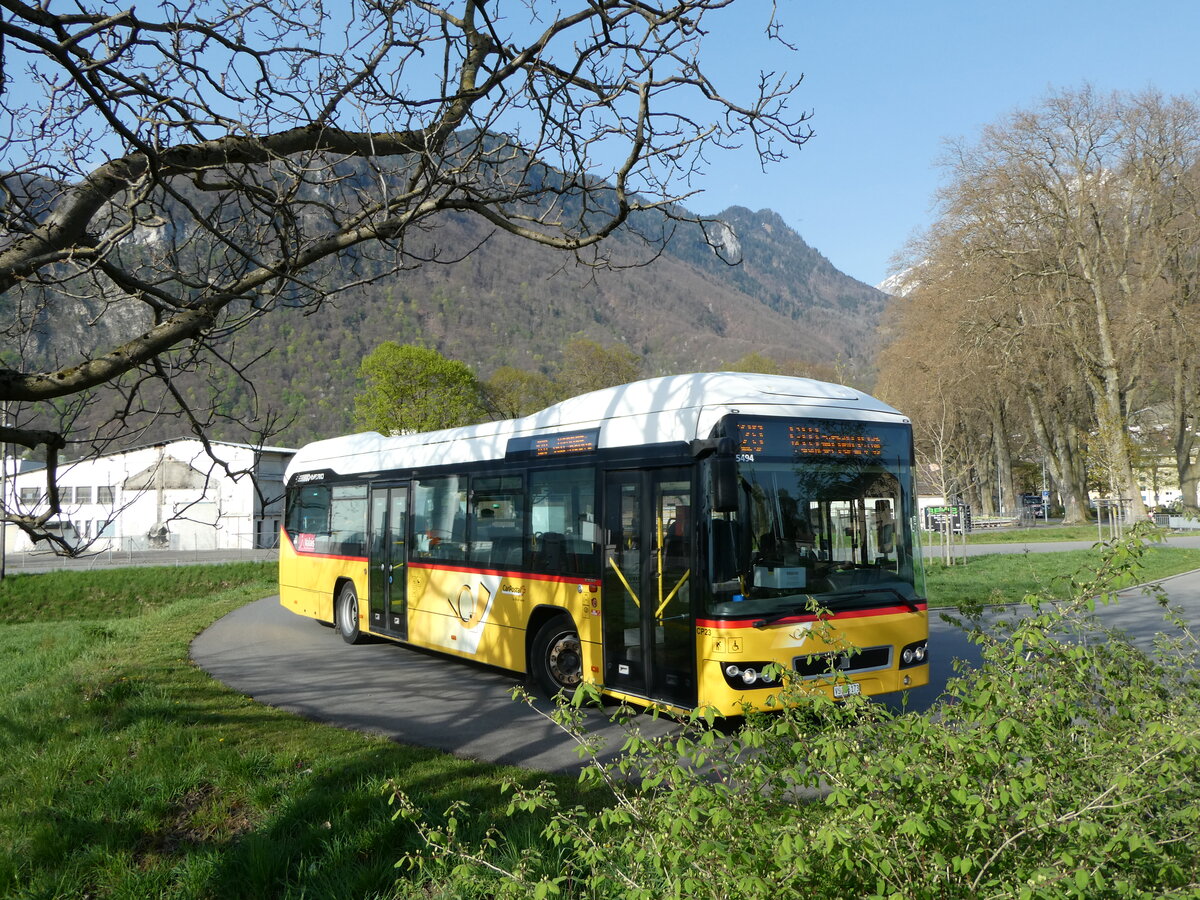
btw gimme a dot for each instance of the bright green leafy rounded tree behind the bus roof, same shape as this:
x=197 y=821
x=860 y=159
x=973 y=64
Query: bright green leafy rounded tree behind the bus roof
x=412 y=389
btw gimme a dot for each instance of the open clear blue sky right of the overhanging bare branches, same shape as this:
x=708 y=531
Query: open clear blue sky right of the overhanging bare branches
x=889 y=83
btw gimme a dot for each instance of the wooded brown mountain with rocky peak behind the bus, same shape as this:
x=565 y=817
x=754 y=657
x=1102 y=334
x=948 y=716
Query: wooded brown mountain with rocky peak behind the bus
x=514 y=303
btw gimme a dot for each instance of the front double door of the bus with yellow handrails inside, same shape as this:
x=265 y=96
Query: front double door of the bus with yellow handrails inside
x=649 y=631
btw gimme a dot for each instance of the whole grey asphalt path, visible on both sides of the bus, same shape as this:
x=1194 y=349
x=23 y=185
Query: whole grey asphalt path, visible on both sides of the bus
x=410 y=697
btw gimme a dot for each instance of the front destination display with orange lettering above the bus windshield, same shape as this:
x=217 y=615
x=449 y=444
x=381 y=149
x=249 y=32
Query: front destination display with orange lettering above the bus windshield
x=819 y=439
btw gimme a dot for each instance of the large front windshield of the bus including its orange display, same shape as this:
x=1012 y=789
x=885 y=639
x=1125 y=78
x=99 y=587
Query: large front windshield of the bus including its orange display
x=823 y=521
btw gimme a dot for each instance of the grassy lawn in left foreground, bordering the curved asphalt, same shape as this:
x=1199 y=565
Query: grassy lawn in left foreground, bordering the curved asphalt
x=127 y=772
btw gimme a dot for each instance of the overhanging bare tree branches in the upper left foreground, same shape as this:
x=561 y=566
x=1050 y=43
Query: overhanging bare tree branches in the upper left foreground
x=178 y=171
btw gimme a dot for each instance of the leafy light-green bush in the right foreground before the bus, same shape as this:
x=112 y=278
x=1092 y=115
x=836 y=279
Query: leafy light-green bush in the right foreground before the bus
x=1066 y=765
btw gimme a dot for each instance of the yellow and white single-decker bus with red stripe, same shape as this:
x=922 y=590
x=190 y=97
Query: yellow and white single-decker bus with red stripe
x=667 y=541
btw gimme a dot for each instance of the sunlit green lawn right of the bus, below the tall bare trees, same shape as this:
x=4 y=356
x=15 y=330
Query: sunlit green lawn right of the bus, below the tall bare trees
x=1009 y=578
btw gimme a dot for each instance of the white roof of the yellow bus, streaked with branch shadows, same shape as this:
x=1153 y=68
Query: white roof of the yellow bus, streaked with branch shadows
x=657 y=411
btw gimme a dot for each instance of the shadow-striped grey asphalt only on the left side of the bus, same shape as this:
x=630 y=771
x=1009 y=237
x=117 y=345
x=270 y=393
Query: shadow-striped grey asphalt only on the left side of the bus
x=296 y=664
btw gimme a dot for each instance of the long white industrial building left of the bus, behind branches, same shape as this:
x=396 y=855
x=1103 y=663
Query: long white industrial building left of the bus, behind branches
x=170 y=495
